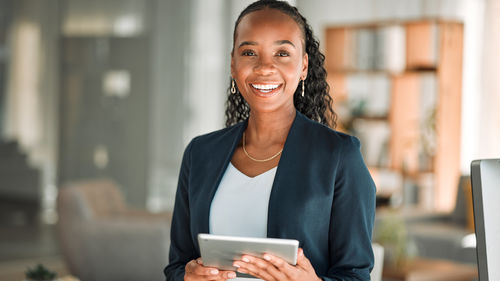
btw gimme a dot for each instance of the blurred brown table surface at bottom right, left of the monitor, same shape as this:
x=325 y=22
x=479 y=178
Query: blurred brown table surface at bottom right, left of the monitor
x=431 y=270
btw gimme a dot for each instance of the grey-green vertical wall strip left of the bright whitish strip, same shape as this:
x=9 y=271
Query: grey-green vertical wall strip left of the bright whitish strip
x=169 y=111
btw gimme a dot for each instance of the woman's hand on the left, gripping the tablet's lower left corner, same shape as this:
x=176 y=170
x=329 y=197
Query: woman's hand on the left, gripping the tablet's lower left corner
x=195 y=271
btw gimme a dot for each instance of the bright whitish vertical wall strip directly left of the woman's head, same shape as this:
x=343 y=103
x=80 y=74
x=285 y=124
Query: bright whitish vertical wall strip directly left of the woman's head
x=208 y=62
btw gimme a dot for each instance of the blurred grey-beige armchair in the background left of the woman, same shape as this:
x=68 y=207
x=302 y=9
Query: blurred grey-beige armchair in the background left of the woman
x=103 y=240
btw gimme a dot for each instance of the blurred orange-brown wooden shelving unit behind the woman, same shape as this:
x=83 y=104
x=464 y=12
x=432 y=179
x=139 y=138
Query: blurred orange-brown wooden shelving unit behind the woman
x=397 y=85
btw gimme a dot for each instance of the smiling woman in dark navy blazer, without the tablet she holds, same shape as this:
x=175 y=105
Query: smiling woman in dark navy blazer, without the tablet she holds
x=277 y=170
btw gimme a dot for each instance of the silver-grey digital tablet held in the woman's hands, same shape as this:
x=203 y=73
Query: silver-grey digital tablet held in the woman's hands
x=221 y=251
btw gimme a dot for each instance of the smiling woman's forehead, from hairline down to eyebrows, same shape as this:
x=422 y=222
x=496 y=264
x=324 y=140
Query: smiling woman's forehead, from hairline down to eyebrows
x=268 y=21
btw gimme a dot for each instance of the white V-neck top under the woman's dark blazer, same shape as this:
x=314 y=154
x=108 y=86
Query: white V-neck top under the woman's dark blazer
x=239 y=207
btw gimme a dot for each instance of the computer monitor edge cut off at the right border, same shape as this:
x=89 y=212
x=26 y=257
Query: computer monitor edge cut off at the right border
x=485 y=176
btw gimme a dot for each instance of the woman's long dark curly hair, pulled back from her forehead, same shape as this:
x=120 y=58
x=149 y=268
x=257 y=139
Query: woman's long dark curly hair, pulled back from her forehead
x=317 y=103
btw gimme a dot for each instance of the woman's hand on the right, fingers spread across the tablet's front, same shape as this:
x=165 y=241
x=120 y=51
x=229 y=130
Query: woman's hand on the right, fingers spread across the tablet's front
x=272 y=268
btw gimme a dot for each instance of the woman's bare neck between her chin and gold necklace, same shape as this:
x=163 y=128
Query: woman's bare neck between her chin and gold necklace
x=267 y=128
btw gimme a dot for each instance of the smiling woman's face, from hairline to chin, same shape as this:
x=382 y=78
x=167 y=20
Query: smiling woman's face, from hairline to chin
x=268 y=59
